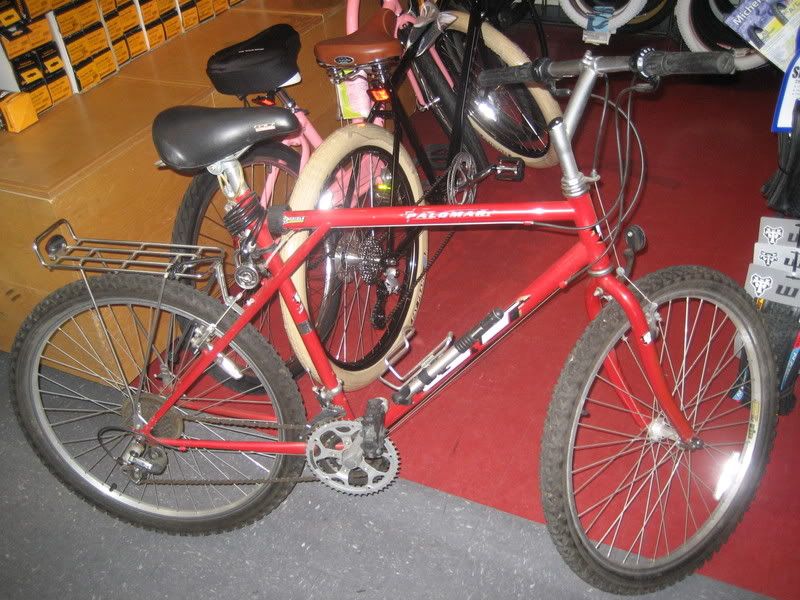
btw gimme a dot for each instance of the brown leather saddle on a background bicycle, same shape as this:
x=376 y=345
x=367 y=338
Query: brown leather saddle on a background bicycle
x=374 y=41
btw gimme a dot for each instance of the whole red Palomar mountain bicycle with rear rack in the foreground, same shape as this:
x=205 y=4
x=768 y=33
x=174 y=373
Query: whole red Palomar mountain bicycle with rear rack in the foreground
x=660 y=424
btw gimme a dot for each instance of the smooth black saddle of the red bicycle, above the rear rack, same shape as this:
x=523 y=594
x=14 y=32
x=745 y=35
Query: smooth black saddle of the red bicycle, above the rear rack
x=193 y=137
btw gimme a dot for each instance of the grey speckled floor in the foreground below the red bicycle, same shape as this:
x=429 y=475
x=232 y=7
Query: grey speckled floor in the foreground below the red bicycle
x=407 y=542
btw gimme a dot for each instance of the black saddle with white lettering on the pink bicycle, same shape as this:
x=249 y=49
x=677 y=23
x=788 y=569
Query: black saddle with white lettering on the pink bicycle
x=264 y=63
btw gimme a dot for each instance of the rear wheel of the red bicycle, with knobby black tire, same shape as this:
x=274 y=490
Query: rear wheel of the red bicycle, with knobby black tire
x=81 y=359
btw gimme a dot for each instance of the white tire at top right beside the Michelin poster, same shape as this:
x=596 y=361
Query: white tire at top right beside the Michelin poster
x=702 y=31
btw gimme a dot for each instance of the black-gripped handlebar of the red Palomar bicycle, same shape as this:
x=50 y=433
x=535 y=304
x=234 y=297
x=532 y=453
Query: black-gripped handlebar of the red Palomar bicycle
x=648 y=63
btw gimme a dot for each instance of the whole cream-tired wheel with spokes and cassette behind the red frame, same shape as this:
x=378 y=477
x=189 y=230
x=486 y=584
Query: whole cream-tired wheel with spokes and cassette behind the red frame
x=363 y=286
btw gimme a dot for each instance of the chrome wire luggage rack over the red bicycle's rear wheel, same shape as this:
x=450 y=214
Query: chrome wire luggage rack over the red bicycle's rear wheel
x=59 y=248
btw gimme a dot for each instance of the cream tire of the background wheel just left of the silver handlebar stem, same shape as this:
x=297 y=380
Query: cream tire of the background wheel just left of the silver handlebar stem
x=512 y=55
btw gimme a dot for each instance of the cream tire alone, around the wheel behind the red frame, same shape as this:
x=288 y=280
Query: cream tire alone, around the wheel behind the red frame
x=307 y=192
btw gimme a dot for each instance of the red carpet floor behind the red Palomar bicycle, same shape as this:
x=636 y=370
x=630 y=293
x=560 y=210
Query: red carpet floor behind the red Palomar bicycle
x=709 y=150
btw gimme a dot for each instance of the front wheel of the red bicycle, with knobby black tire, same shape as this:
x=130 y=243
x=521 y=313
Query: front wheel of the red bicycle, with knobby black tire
x=629 y=509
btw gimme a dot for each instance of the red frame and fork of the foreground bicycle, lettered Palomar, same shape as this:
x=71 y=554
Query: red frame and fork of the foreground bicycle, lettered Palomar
x=589 y=251
